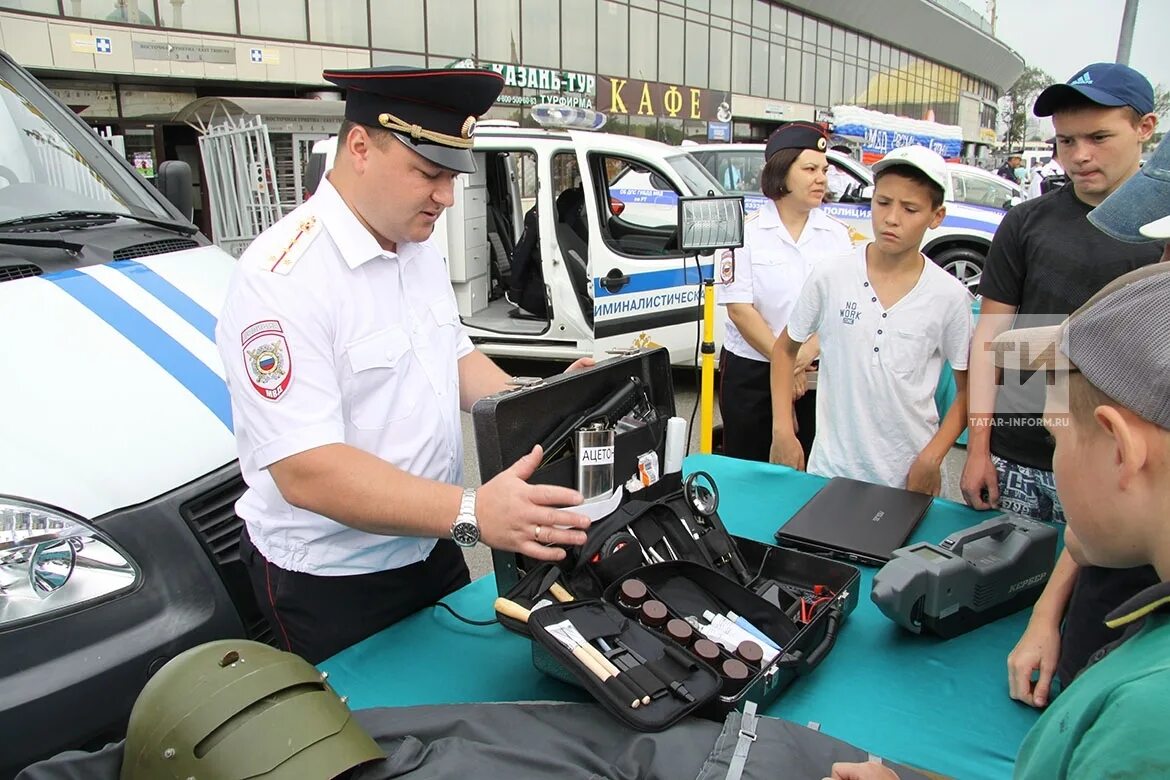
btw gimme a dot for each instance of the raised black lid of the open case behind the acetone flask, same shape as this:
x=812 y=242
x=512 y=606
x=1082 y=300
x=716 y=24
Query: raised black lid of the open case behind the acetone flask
x=508 y=425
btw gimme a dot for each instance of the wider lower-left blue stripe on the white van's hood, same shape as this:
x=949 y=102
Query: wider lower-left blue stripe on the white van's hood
x=171 y=356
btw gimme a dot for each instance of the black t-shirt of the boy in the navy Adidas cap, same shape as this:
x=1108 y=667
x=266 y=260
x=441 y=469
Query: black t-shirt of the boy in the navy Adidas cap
x=1048 y=260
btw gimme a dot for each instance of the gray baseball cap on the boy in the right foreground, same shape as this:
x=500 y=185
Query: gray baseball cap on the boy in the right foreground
x=1120 y=341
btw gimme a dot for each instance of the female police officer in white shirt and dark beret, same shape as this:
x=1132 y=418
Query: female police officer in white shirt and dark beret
x=761 y=282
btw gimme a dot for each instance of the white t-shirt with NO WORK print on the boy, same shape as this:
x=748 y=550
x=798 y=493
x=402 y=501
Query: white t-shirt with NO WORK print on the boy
x=879 y=369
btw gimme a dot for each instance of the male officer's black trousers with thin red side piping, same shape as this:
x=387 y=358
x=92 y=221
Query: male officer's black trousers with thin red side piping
x=318 y=617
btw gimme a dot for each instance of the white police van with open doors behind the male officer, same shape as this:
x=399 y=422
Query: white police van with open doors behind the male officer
x=593 y=271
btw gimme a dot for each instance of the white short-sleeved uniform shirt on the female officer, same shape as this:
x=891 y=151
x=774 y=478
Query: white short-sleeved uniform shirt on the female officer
x=772 y=268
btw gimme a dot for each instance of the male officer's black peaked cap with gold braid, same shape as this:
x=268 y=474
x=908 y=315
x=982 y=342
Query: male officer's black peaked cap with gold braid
x=431 y=112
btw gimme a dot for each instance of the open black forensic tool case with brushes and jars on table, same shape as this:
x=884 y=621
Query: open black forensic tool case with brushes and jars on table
x=663 y=612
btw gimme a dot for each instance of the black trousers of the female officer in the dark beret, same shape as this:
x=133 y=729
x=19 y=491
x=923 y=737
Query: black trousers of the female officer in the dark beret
x=746 y=403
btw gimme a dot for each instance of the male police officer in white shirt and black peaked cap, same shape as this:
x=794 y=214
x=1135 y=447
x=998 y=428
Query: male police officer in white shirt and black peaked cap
x=348 y=368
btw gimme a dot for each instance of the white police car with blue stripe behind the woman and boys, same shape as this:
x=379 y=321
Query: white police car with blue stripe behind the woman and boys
x=975 y=204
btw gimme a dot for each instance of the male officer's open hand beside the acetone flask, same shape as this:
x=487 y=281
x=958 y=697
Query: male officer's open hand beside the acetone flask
x=519 y=517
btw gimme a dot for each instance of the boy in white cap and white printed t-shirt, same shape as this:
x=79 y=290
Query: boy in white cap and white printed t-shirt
x=887 y=319
